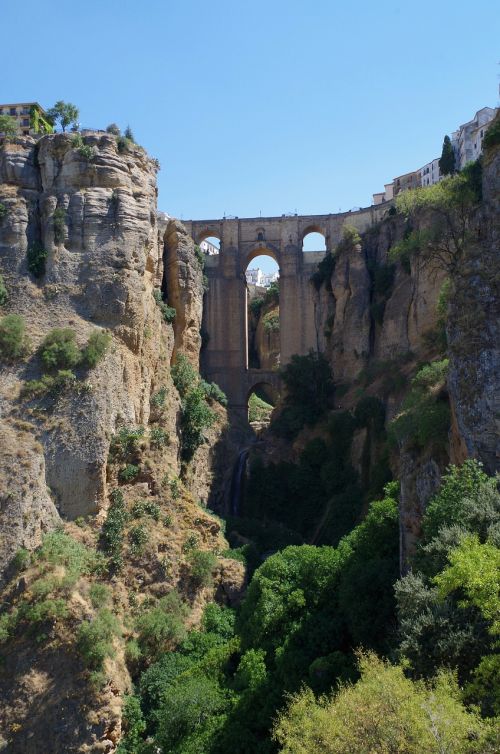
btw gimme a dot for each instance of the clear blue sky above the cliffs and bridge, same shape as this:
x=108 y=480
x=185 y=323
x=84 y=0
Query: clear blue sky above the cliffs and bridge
x=263 y=106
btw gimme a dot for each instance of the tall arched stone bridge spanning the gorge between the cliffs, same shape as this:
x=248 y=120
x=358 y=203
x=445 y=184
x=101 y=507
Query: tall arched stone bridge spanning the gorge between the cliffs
x=225 y=356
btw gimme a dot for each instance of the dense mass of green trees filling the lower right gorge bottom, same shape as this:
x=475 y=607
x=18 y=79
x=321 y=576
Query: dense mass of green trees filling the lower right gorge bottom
x=307 y=614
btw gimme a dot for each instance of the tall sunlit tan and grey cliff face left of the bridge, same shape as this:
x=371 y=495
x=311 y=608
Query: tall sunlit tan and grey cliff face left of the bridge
x=105 y=255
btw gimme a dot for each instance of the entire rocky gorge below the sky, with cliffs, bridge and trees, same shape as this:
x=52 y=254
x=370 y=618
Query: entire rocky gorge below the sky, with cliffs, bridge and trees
x=173 y=581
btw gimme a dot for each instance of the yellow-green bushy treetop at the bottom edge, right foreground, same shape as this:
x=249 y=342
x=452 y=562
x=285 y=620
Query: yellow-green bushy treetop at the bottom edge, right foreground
x=383 y=712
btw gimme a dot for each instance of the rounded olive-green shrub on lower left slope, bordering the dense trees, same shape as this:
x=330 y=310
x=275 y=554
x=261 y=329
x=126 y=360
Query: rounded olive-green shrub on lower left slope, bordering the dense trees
x=163 y=626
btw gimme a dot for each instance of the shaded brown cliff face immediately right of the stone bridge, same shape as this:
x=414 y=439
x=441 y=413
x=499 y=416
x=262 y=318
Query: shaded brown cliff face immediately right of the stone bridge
x=361 y=324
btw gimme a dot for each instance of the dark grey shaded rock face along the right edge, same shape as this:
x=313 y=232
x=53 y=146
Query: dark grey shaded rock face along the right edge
x=474 y=333
